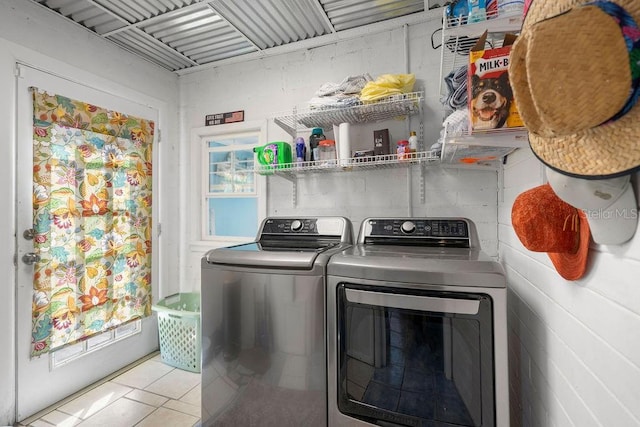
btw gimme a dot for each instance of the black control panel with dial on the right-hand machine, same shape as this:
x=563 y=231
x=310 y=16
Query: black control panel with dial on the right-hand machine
x=446 y=232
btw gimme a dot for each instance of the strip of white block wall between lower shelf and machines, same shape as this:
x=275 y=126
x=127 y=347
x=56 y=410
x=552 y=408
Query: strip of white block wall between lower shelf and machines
x=386 y=192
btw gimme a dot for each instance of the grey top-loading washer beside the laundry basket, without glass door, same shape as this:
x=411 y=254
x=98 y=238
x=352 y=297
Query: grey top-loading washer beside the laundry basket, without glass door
x=263 y=324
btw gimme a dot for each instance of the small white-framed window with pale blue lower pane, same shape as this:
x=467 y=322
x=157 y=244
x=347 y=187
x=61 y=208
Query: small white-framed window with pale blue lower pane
x=232 y=198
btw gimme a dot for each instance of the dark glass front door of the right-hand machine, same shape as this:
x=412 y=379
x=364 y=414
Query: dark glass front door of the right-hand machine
x=415 y=357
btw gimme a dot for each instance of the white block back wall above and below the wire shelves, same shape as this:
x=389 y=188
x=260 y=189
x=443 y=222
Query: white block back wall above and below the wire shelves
x=270 y=86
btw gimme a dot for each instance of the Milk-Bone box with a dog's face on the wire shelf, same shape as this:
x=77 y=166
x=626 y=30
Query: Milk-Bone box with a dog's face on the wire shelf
x=490 y=100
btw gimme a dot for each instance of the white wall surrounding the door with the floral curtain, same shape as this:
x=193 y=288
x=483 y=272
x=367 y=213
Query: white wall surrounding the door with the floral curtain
x=40 y=38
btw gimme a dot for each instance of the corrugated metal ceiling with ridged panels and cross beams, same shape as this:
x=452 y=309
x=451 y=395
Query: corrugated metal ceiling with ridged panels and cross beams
x=182 y=34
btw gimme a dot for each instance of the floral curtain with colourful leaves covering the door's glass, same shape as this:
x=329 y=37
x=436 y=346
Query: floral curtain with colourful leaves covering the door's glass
x=92 y=220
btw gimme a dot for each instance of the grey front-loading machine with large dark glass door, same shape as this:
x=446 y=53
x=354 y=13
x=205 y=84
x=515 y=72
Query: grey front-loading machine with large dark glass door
x=417 y=327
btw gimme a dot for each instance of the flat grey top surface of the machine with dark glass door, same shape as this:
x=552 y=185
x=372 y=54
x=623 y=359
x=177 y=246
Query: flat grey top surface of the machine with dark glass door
x=418 y=265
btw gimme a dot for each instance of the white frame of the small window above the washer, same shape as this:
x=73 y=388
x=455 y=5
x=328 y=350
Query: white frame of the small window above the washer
x=200 y=178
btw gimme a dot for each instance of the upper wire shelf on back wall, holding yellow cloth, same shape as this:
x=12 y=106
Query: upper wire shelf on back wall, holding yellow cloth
x=401 y=105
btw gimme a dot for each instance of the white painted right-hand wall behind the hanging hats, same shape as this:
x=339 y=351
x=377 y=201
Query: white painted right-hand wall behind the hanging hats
x=573 y=346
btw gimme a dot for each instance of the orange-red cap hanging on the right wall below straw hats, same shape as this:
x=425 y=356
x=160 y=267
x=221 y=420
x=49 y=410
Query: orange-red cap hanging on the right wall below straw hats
x=544 y=223
